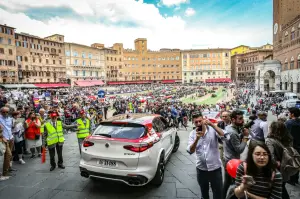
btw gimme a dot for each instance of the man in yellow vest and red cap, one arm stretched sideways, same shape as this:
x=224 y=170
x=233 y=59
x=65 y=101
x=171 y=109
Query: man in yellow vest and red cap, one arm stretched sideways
x=55 y=139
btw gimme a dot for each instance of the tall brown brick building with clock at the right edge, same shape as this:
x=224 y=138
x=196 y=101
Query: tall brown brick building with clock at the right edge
x=286 y=41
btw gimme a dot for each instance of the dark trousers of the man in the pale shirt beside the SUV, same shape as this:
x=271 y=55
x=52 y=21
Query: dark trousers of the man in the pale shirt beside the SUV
x=214 y=178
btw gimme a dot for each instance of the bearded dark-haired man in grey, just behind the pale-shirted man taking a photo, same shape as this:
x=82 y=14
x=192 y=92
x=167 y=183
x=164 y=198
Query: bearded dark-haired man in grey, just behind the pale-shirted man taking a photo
x=234 y=144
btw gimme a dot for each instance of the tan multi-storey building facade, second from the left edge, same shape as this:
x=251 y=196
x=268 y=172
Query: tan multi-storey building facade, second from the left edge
x=40 y=59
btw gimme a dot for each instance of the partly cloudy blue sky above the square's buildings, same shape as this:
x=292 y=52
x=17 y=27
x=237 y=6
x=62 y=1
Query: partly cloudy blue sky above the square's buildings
x=184 y=24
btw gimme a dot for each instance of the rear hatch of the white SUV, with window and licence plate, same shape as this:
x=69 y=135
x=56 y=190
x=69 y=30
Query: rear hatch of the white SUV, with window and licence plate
x=112 y=144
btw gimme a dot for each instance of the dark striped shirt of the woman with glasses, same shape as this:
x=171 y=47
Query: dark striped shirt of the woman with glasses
x=262 y=187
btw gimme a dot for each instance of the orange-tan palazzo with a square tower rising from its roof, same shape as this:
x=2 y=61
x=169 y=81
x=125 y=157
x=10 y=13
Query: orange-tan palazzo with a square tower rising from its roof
x=144 y=64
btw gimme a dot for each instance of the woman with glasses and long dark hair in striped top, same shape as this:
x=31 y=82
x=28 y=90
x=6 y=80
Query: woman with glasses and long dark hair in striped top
x=259 y=167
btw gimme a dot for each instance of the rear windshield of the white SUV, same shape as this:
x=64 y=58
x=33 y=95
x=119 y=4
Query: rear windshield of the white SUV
x=124 y=131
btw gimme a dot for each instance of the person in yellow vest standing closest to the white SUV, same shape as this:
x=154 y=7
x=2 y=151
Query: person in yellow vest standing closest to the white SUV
x=83 y=128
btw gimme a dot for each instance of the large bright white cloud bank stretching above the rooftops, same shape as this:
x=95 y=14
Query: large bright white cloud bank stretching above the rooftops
x=161 y=31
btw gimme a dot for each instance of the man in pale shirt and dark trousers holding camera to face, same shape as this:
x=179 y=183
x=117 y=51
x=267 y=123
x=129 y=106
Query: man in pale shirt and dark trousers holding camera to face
x=204 y=141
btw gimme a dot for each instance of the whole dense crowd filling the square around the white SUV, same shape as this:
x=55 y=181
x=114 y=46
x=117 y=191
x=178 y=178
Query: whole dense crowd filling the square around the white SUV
x=32 y=121
